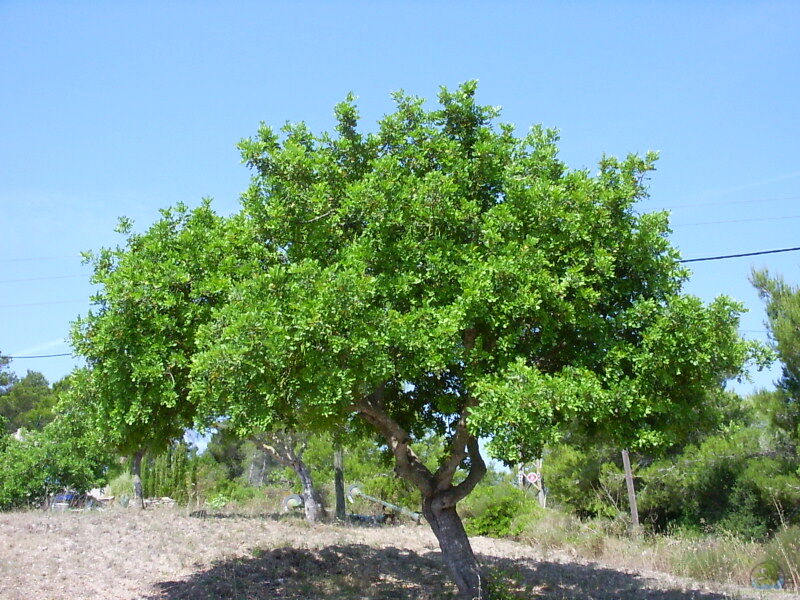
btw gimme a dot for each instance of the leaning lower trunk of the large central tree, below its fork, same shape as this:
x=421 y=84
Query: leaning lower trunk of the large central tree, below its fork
x=456 y=549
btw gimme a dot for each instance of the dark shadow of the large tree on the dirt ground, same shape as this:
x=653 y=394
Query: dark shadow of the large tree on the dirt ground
x=357 y=571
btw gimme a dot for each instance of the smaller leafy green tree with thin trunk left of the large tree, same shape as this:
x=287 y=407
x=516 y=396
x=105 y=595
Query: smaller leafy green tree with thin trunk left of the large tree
x=138 y=341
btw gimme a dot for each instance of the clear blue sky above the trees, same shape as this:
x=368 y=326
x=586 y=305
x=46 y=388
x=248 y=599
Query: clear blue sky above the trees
x=122 y=108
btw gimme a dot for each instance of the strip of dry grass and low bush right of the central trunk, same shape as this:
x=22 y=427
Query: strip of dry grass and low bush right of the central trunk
x=504 y=511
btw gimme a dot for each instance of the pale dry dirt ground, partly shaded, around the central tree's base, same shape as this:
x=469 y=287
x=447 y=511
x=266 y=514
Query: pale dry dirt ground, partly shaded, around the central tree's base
x=165 y=554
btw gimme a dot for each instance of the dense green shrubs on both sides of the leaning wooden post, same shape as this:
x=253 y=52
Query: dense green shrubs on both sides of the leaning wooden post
x=738 y=477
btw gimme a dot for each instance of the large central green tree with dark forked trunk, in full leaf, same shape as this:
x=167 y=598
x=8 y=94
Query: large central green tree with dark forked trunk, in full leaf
x=442 y=274
